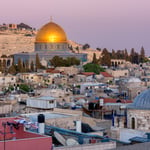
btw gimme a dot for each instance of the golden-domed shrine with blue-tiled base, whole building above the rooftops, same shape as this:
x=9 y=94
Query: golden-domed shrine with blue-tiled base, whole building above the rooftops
x=50 y=41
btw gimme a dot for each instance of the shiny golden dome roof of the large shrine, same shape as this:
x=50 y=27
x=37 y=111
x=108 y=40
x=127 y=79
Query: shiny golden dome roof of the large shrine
x=51 y=33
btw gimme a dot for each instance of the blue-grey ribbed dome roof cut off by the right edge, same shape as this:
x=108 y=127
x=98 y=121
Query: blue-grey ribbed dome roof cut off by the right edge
x=142 y=101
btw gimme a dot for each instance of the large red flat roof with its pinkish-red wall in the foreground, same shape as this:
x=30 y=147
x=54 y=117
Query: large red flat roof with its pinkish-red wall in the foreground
x=16 y=138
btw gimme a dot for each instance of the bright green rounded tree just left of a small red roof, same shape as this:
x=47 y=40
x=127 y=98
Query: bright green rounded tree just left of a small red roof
x=90 y=67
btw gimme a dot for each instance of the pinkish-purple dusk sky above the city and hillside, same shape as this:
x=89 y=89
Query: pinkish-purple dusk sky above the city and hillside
x=114 y=24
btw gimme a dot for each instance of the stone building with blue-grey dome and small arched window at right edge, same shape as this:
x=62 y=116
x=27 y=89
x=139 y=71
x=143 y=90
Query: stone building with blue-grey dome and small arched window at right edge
x=138 y=113
